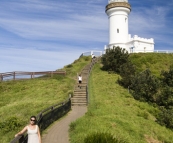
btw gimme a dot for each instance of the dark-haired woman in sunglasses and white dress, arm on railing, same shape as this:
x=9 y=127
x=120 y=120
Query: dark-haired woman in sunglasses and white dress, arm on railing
x=32 y=130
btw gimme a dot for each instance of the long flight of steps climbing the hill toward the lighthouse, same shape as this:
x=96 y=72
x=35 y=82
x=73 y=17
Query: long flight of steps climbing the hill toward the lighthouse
x=80 y=93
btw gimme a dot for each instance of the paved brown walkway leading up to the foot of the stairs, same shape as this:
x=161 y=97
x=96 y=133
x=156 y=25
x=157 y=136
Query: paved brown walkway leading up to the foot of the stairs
x=58 y=133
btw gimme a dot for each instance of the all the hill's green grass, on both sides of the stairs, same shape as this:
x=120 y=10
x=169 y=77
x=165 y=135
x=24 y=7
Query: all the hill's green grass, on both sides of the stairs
x=111 y=109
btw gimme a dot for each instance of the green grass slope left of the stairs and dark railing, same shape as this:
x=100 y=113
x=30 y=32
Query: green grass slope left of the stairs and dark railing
x=23 y=98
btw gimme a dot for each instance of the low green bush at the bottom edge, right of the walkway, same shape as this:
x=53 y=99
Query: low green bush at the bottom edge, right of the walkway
x=102 y=138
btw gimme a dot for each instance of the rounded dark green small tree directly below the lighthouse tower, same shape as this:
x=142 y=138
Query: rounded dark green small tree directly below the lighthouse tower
x=114 y=58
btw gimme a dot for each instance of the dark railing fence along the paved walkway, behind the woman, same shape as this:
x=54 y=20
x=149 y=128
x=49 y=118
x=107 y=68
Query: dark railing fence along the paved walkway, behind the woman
x=47 y=117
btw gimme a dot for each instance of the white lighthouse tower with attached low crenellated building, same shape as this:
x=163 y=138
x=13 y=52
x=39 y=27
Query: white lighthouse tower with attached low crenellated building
x=118 y=11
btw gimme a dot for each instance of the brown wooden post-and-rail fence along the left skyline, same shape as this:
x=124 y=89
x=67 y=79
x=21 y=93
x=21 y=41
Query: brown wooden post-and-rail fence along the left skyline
x=26 y=75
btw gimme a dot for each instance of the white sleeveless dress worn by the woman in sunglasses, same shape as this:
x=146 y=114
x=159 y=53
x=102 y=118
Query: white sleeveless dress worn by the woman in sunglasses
x=33 y=135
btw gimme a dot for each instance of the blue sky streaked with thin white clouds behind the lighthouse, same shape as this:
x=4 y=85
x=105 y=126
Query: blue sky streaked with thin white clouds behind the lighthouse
x=42 y=35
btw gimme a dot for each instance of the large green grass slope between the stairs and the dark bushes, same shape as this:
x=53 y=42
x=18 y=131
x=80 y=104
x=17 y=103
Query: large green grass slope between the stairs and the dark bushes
x=113 y=110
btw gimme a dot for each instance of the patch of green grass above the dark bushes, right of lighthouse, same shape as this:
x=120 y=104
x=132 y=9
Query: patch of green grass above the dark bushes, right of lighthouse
x=156 y=62
